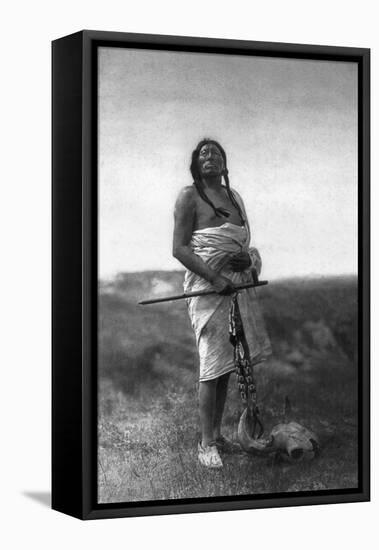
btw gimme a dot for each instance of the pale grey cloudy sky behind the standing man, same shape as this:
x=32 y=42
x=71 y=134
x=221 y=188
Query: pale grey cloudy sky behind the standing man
x=289 y=129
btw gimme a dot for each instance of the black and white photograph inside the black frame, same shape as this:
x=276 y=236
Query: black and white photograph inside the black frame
x=228 y=357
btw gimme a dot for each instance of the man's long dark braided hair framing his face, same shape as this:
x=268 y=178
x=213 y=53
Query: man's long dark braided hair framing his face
x=220 y=212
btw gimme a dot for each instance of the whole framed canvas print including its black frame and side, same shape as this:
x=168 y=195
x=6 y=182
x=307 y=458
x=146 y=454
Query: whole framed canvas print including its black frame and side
x=210 y=274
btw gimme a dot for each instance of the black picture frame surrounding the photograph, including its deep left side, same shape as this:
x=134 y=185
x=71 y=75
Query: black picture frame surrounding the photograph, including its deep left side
x=74 y=272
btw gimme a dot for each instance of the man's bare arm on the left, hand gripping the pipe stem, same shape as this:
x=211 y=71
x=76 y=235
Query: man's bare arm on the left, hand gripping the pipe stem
x=185 y=216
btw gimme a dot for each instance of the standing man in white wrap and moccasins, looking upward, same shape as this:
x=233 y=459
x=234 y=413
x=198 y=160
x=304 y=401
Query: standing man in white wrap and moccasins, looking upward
x=211 y=239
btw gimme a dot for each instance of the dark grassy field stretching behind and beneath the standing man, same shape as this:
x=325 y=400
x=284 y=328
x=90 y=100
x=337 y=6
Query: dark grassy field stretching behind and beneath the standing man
x=148 y=418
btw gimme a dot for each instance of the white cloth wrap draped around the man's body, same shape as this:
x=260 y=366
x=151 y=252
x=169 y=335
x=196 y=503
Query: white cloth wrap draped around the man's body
x=210 y=314
